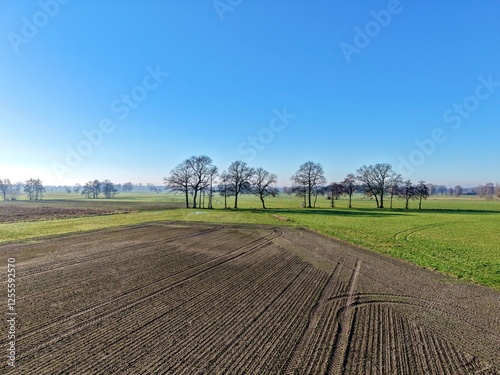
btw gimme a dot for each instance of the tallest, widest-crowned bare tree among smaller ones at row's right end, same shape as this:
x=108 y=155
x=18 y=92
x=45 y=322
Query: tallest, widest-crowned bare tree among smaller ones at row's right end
x=375 y=180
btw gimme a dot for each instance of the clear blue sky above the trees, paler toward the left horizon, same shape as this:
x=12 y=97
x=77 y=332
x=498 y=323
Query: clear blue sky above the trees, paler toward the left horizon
x=356 y=82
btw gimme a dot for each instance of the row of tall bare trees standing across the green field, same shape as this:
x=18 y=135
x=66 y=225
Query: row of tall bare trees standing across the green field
x=199 y=177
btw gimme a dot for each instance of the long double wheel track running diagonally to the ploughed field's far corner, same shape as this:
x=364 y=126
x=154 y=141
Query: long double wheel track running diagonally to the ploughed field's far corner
x=182 y=275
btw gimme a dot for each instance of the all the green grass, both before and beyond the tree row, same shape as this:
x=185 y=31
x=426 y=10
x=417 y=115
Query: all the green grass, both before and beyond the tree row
x=456 y=236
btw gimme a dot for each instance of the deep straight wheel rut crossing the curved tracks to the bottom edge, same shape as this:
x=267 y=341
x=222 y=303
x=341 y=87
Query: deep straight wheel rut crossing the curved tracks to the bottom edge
x=345 y=318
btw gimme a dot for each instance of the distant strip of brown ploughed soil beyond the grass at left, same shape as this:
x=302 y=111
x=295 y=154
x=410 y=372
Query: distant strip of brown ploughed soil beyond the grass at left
x=60 y=209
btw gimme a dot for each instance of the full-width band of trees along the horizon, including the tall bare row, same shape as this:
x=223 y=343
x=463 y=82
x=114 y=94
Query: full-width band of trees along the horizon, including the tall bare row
x=198 y=179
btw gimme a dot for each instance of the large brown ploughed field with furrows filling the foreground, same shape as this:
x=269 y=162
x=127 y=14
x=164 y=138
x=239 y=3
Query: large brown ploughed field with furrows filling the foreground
x=205 y=299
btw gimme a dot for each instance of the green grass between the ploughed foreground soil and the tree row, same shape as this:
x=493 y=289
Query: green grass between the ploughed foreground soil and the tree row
x=463 y=245
